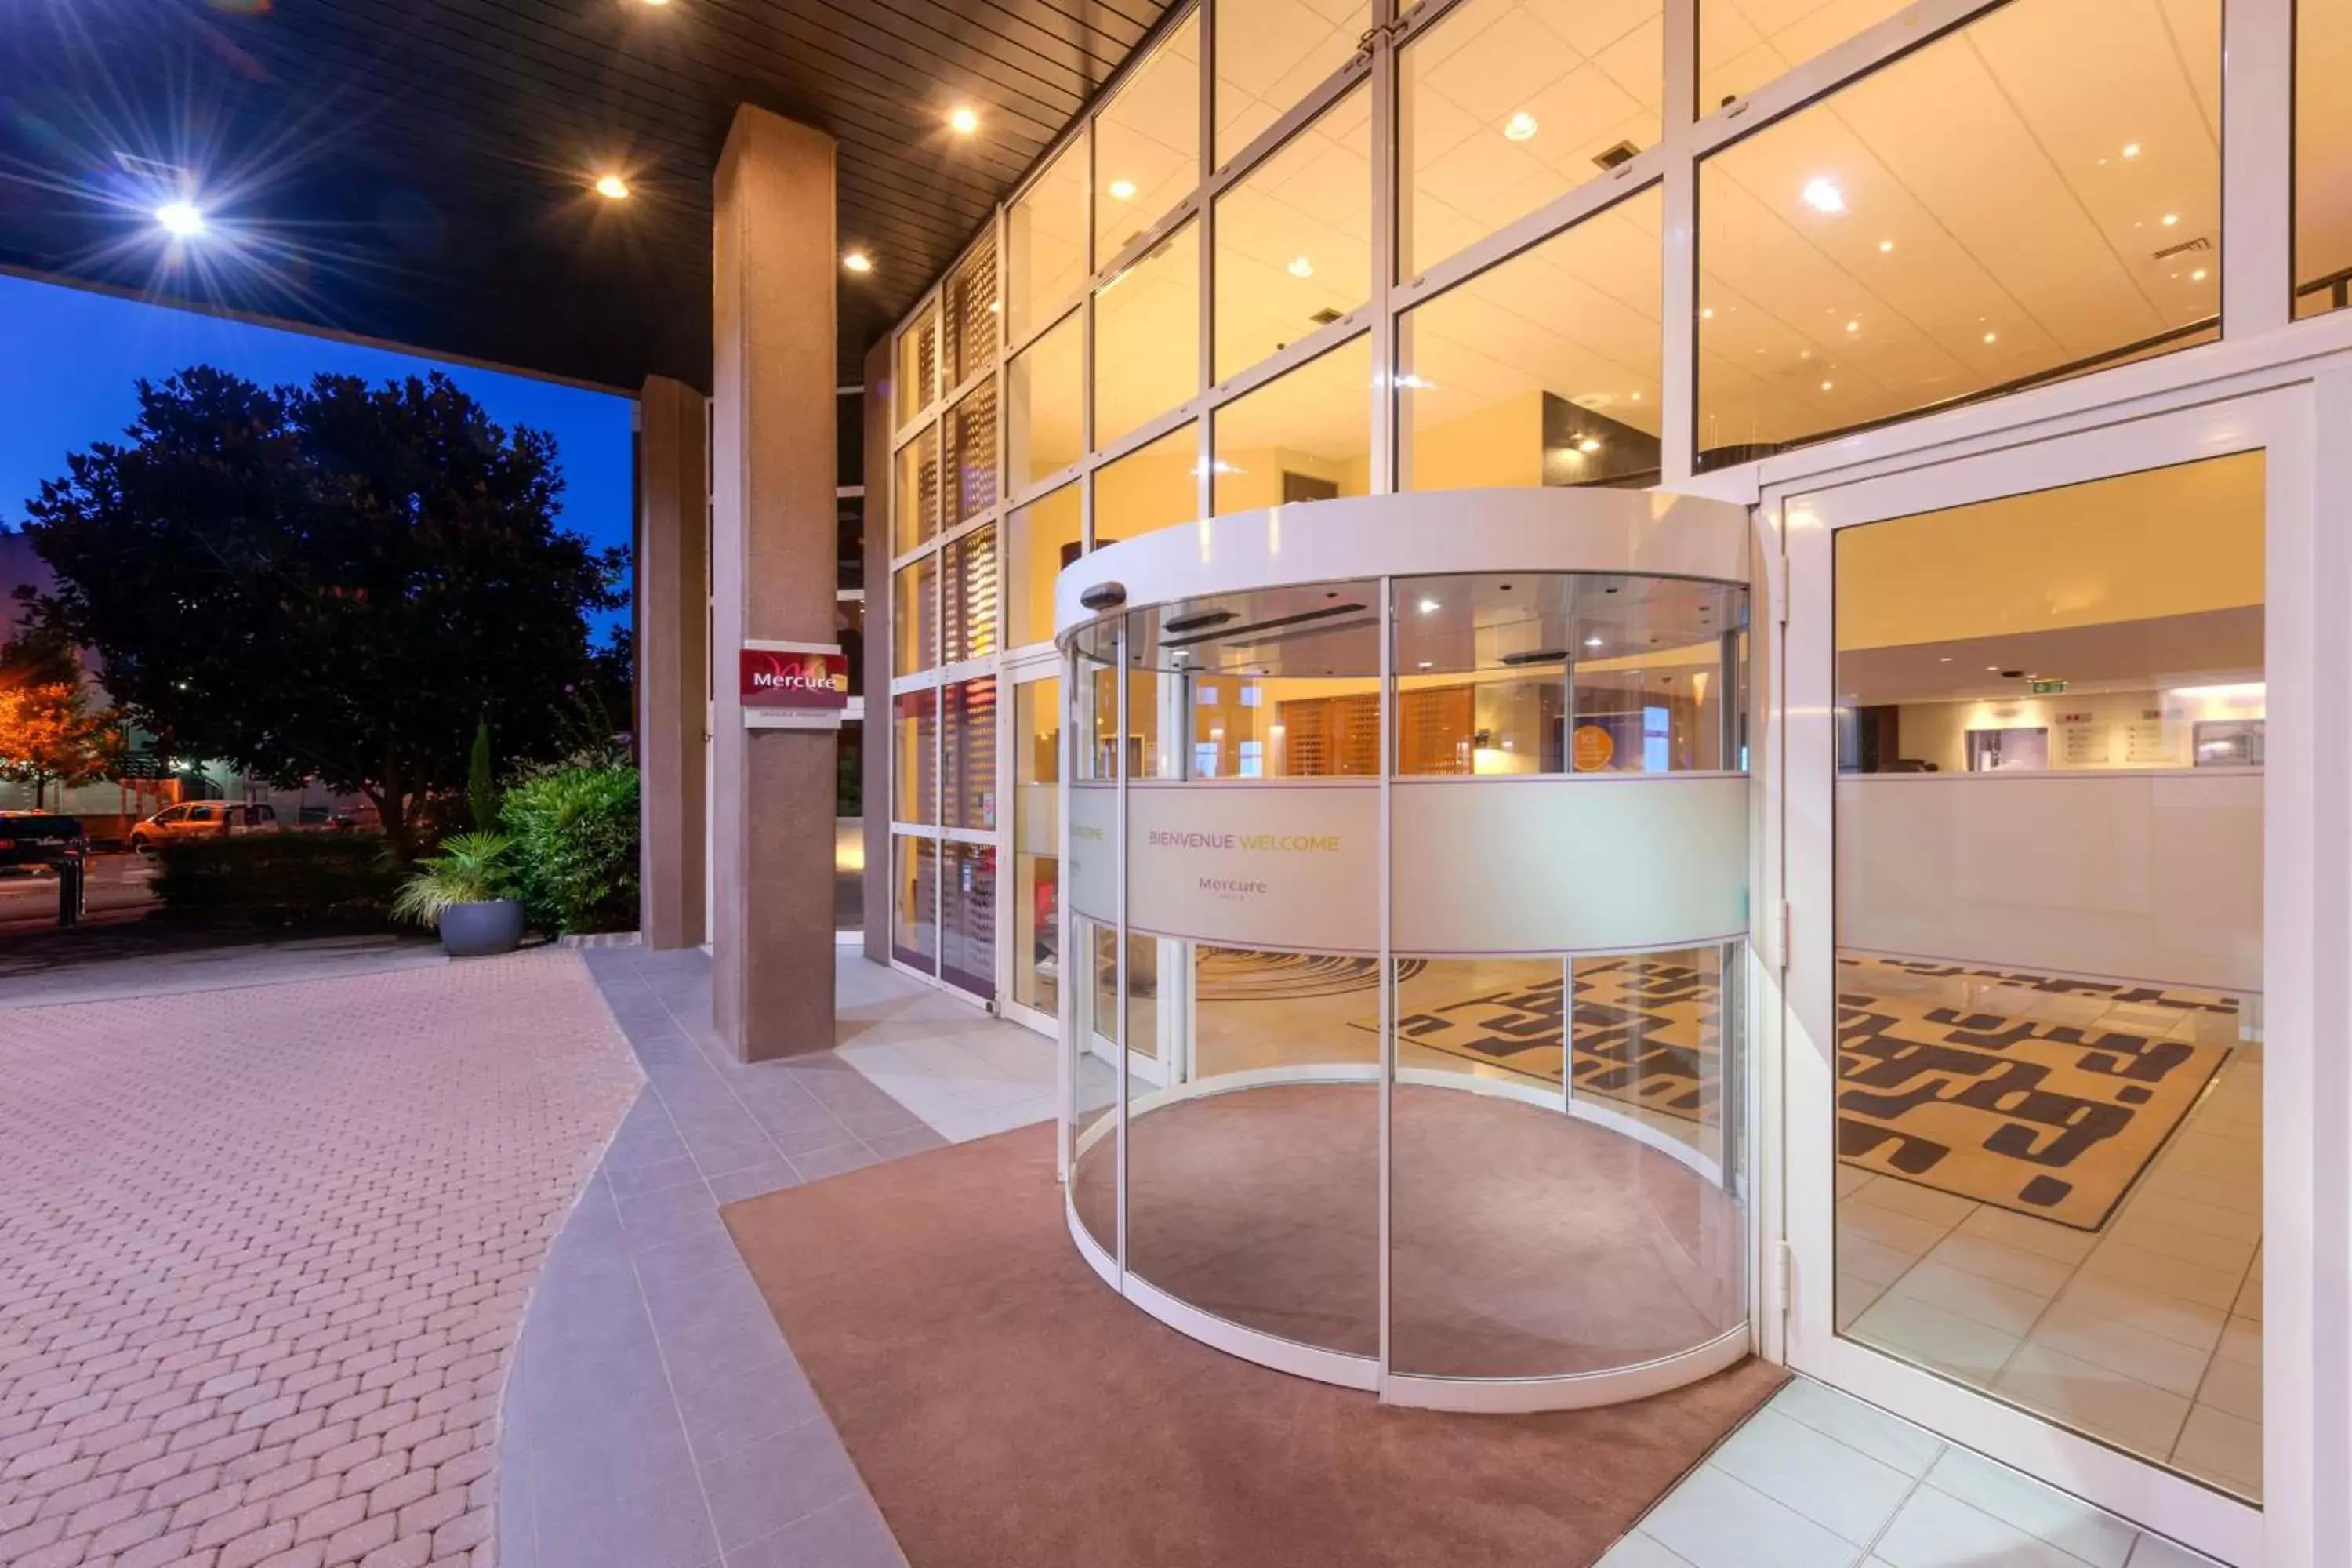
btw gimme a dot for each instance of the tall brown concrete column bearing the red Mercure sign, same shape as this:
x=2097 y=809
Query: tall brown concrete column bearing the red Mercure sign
x=773 y=558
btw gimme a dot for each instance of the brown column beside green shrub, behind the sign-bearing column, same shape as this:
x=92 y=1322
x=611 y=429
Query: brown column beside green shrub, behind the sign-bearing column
x=674 y=662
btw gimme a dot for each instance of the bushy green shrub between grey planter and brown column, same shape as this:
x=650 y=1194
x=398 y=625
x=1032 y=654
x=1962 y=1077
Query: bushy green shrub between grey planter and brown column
x=577 y=847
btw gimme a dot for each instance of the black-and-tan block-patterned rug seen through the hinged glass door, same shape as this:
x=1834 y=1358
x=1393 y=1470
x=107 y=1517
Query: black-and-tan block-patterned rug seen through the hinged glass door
x=2024 y=1092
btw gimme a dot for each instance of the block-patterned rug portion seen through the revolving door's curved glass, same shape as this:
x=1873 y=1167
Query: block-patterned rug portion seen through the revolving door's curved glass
x=1645 y=1033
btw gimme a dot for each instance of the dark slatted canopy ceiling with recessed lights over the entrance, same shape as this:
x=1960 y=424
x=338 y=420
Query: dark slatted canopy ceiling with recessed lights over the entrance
x=417 y=170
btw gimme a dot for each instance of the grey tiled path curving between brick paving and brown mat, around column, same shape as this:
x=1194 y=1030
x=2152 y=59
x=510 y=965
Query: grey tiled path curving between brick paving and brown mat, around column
x=657 y=1416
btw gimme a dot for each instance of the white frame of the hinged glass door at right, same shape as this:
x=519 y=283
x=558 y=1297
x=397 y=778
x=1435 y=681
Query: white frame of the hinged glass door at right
x=1805 y=518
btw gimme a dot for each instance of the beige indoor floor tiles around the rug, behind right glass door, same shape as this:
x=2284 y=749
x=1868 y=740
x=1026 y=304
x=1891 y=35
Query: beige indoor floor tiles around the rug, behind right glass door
x=2146 y=1334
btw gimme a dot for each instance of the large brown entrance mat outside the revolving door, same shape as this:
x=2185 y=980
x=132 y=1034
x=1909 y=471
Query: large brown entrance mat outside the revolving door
x=1010 y=1412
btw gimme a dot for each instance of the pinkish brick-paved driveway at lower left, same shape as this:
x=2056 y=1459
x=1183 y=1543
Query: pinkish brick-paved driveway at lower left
x=265 y=1254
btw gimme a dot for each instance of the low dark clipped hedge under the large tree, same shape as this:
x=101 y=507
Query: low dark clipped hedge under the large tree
x=305 y=878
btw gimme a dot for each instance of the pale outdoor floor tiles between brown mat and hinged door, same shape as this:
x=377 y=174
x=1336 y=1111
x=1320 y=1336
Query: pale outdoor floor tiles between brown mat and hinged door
x=1819 y=1480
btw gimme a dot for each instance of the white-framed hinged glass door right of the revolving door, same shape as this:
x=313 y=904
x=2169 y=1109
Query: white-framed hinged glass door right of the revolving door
x=2026 y=965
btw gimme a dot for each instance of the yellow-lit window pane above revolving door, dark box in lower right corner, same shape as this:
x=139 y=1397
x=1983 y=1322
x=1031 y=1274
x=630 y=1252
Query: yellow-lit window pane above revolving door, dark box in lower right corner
x=1542 y=370
